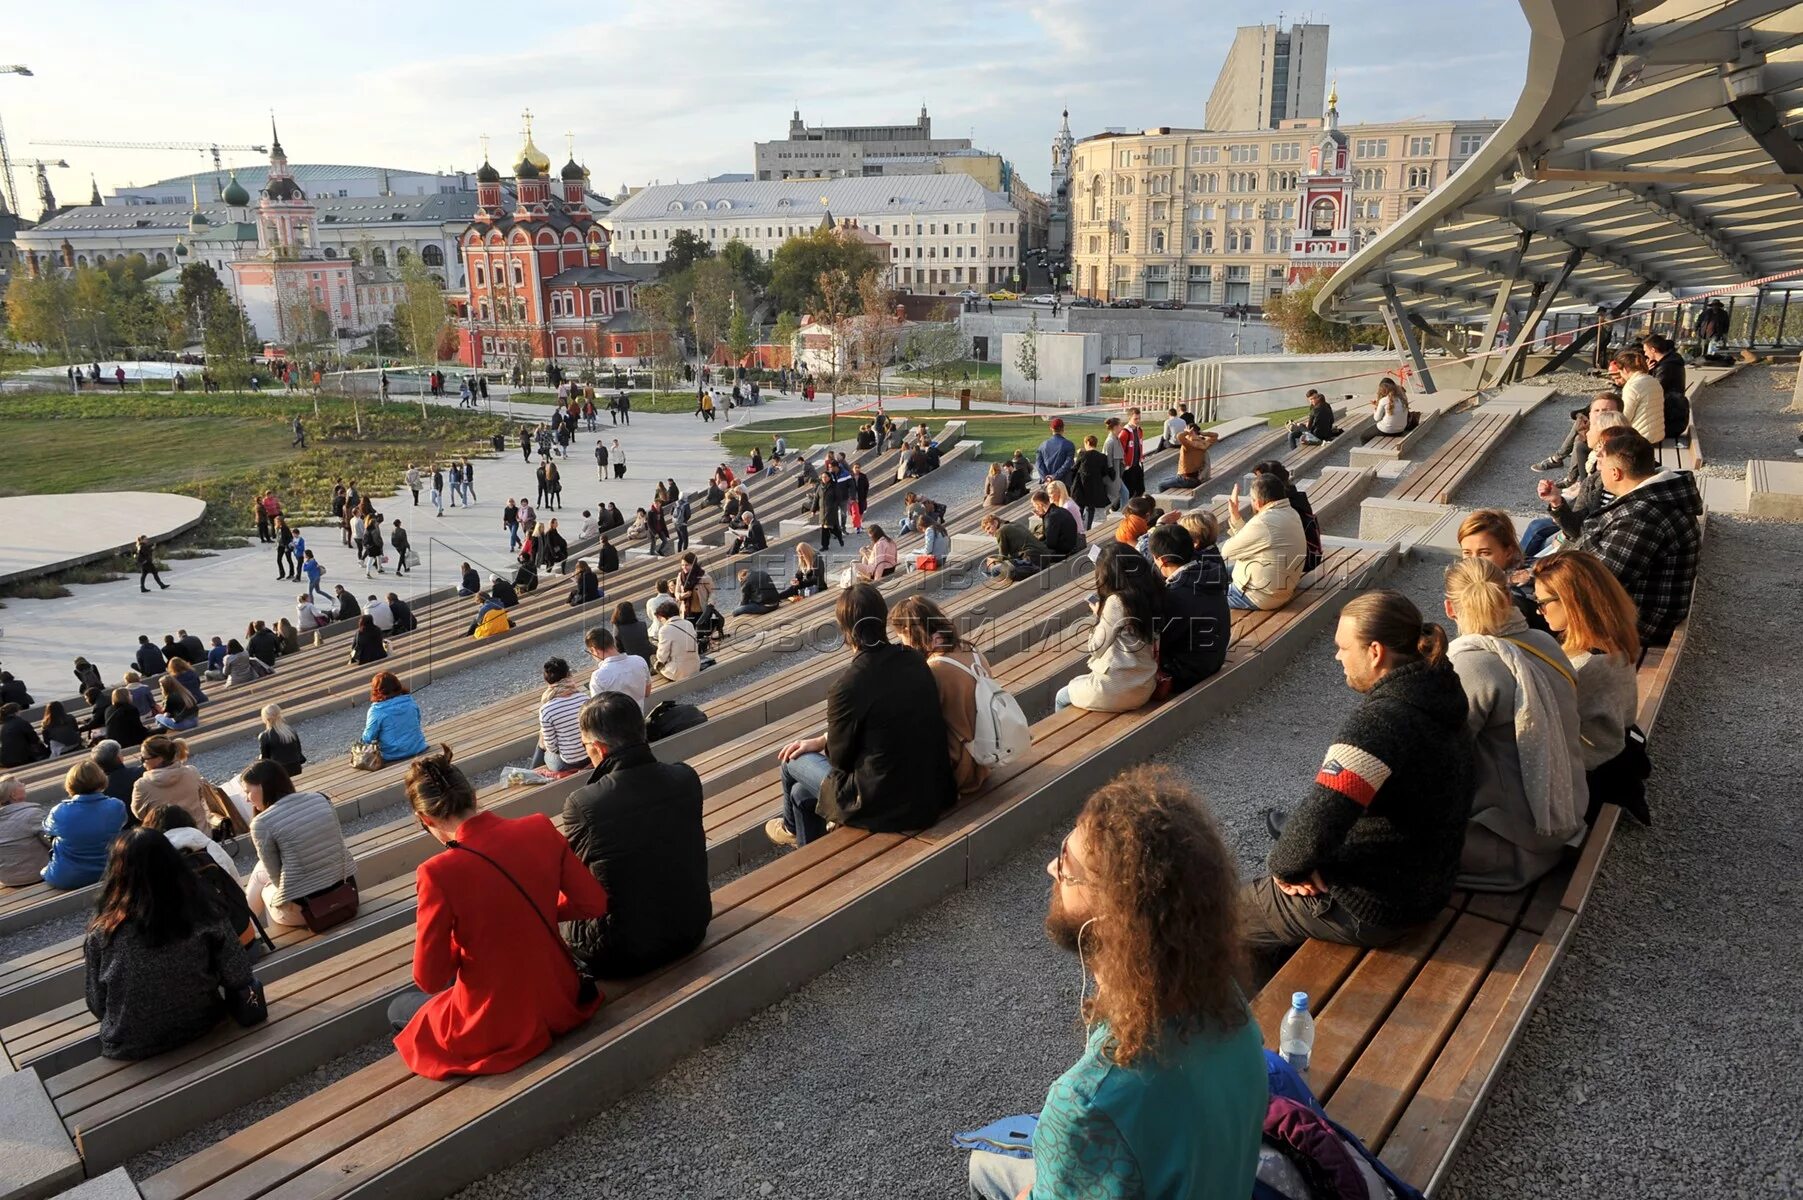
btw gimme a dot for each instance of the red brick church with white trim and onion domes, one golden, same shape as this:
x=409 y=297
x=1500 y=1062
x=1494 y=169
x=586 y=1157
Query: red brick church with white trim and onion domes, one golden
x=538 y=273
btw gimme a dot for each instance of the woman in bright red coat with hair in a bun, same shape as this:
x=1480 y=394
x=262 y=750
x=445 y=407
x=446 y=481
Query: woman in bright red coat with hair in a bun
x=495 y=976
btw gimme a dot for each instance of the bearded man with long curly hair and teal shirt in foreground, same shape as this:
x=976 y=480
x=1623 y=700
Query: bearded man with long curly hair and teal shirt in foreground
x=1169 y=1096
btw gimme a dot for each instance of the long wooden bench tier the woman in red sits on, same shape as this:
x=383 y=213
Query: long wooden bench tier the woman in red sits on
x=774 y=927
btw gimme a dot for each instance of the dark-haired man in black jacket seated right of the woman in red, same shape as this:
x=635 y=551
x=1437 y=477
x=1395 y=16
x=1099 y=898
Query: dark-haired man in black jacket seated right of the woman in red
x=637 y=824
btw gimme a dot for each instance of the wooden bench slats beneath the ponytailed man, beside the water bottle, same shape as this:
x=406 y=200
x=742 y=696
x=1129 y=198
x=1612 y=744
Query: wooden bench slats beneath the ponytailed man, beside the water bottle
x=1413 y=1039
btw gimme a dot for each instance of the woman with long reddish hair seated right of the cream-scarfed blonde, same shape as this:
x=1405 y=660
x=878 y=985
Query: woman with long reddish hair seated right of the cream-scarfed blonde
x=1595 y=621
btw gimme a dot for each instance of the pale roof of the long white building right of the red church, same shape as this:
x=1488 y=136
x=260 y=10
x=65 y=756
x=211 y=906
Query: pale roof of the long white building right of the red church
x=814 y=197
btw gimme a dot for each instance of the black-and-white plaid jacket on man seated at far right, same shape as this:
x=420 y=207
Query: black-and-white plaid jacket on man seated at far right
x=1649 y=538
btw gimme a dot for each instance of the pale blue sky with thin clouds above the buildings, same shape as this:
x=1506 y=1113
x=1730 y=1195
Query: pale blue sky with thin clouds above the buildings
x=664 y=91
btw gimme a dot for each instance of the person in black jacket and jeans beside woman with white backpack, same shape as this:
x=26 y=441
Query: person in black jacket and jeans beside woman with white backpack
x=872 y=768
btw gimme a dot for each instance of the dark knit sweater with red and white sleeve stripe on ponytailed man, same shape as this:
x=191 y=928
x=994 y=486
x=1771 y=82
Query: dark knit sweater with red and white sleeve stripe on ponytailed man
x=1386 y=817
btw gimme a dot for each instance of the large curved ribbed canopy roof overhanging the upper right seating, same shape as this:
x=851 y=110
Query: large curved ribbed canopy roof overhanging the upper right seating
x=1631 y=163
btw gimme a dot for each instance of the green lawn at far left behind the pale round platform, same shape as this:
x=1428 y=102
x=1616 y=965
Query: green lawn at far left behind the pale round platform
x=223 y=450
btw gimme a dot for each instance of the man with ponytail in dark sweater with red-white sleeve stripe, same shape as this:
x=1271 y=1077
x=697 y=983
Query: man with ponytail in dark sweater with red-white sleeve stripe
x=1373 y=850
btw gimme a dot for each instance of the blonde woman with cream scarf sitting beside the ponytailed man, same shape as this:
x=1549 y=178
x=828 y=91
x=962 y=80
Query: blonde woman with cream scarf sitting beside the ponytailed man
x=1523 y=711
